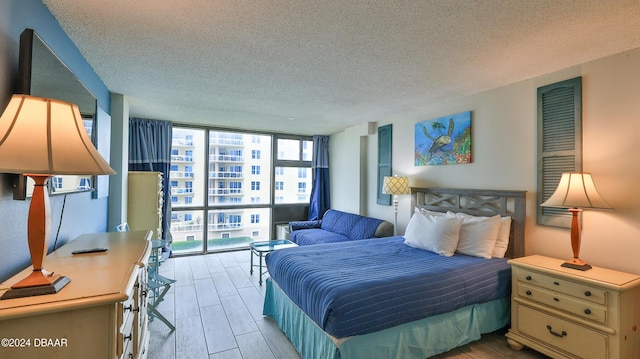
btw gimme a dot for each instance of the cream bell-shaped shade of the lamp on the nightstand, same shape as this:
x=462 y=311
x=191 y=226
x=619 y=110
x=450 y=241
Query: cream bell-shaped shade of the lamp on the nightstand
x=576 y=190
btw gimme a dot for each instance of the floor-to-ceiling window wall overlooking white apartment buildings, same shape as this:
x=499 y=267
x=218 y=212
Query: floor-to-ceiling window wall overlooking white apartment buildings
x=224 y=185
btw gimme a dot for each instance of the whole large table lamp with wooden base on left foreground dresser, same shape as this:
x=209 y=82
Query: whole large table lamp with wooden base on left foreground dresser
x=40 y=137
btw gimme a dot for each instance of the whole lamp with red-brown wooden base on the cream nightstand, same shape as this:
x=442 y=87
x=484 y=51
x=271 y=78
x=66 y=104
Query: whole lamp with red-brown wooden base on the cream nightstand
x=576 y=191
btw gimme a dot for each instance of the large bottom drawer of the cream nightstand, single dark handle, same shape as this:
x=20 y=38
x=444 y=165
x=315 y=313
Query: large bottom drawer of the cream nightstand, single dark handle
x=564 y=335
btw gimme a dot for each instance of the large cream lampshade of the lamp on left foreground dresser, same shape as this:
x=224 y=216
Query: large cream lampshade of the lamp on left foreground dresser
x=46 y=136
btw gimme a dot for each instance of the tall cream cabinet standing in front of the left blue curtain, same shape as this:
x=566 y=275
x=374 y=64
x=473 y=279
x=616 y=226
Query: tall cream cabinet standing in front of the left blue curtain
x=144 y=203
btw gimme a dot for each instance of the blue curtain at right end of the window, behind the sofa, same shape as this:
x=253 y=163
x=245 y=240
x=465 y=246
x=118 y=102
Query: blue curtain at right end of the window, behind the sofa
x=320 y=167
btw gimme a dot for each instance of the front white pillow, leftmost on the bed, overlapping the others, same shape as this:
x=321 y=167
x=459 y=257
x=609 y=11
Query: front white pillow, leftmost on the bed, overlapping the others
x=438 y=234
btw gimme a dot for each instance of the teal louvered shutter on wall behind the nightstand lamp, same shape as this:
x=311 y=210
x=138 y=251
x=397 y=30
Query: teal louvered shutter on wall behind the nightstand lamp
x=559 y=143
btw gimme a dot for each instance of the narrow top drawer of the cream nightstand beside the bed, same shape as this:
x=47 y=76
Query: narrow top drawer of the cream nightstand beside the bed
x=592 y=294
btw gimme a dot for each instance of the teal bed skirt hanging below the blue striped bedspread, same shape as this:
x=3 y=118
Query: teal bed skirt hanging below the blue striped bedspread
x=419 y=339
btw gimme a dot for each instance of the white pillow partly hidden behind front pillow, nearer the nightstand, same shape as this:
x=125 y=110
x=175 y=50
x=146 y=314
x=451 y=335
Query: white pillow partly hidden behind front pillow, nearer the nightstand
x=478 y=235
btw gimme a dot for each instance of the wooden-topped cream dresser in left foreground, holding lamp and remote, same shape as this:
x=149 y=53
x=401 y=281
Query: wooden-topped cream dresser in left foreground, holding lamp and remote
x=101 y=313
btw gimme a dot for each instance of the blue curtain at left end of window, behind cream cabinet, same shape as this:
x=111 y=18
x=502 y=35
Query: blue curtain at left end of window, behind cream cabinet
x=150 y=150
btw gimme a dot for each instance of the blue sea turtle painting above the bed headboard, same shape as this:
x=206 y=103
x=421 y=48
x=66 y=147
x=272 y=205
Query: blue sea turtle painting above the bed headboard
x=444 y=140
